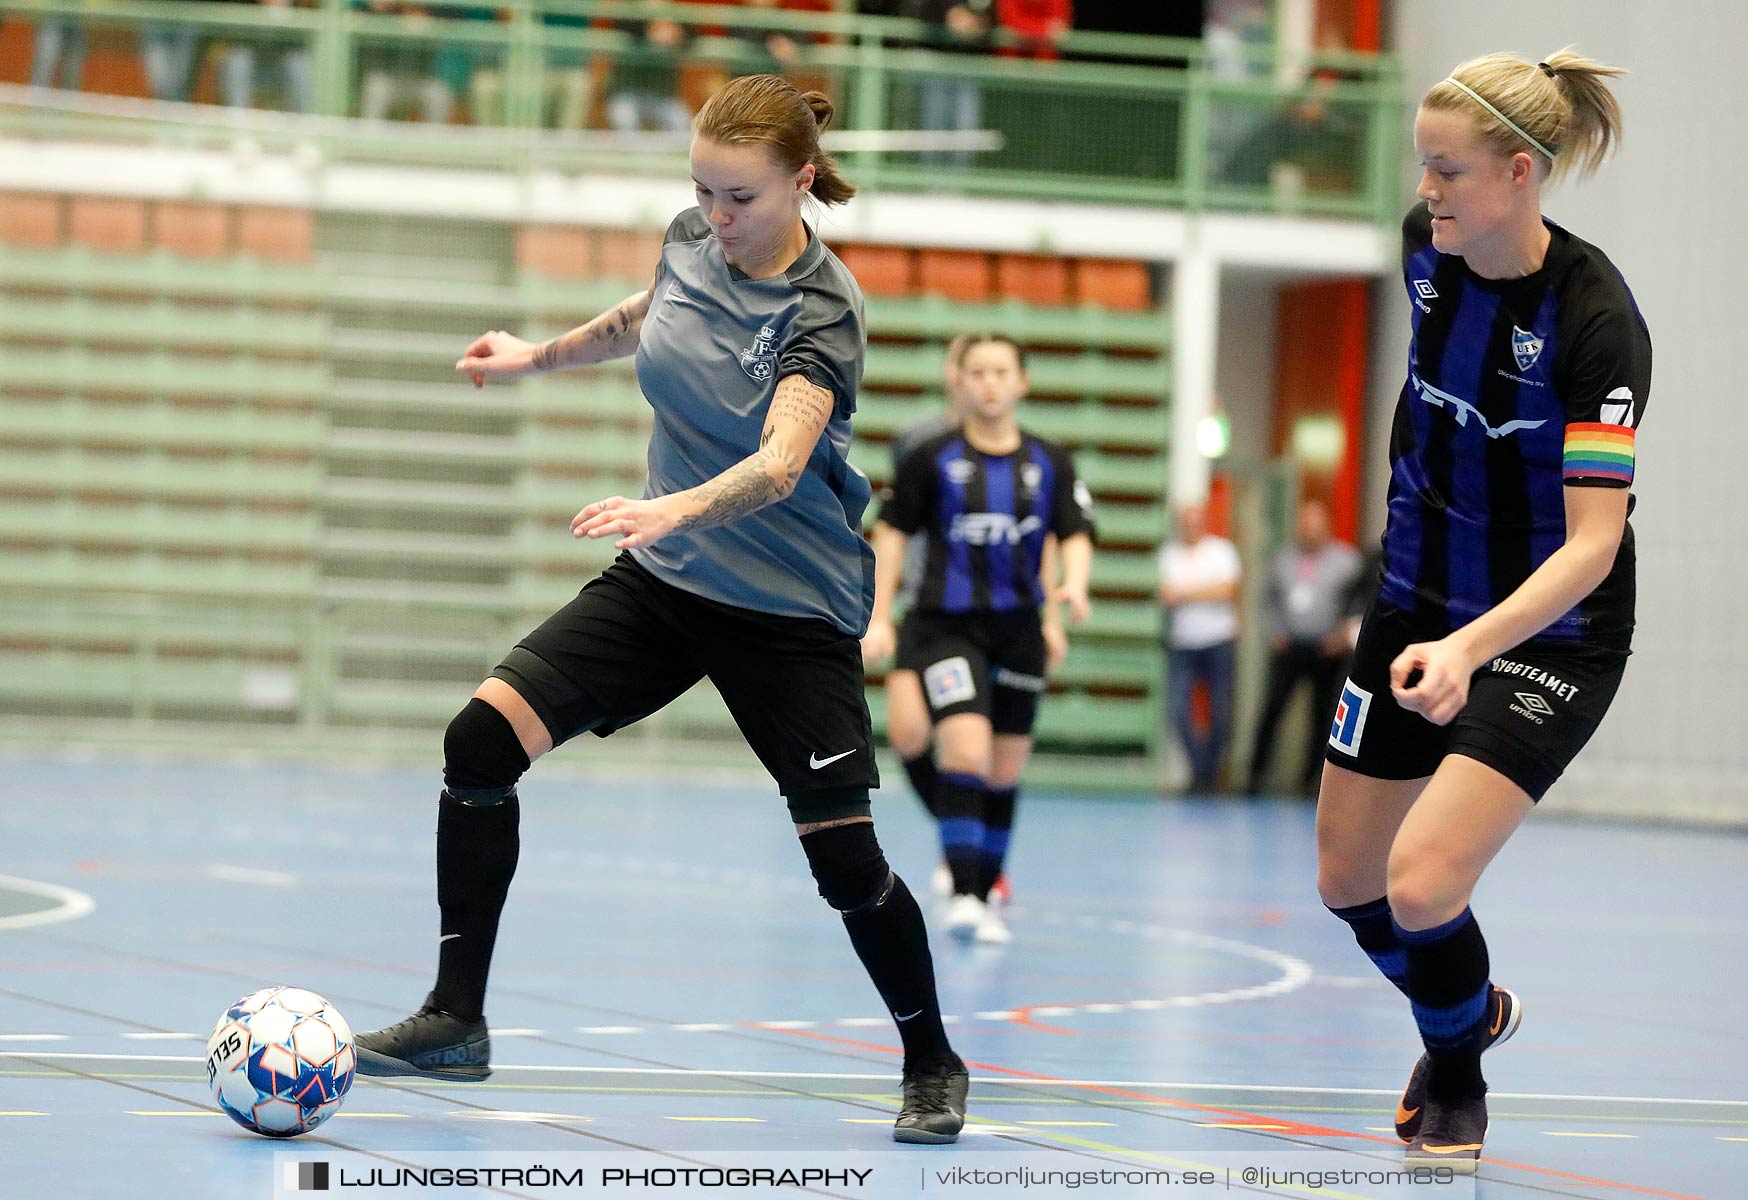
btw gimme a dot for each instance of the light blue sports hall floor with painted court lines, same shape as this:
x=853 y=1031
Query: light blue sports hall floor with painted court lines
x=670 y=991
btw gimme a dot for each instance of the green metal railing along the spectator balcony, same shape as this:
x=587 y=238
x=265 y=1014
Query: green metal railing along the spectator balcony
x=1156 y=122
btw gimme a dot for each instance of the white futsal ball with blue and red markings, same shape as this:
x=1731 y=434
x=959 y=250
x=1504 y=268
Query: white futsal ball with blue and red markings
x=281 y=1061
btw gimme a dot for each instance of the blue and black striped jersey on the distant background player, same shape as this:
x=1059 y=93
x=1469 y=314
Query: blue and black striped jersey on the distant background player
x=987 y=519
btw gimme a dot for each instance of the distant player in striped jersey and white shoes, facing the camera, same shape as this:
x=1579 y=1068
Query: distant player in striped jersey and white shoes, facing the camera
x=988 y=498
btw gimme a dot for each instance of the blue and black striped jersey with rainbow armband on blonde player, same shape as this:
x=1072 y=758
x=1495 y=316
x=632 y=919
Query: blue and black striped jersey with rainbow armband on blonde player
x=1516 y=391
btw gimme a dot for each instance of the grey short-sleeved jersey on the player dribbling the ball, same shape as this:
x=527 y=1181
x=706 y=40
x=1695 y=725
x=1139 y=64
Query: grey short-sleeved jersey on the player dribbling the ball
x=712 y=351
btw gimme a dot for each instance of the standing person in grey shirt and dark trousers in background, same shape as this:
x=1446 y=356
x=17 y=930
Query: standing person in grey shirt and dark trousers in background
x=1305 y=608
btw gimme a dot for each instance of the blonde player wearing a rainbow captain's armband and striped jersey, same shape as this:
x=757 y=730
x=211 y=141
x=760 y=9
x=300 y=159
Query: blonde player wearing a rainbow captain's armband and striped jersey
x=1504 y=617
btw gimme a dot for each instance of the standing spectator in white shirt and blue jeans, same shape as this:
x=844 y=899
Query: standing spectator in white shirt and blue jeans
x=1198 y=587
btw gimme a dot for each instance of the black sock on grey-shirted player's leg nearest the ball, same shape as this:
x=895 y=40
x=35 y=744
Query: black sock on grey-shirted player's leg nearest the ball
x=476 y=860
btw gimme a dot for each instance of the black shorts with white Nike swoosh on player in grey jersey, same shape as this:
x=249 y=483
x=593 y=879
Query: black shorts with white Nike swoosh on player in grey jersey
x=630 y=645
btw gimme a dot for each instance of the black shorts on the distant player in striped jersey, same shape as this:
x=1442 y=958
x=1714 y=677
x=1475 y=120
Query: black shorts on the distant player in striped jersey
x=990 y=664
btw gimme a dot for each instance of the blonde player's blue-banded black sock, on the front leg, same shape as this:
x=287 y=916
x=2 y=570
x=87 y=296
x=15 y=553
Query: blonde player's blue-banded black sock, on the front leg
x=1448 y=991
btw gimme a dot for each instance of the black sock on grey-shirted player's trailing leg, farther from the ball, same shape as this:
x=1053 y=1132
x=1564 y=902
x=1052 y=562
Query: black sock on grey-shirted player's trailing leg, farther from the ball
x=892 y=944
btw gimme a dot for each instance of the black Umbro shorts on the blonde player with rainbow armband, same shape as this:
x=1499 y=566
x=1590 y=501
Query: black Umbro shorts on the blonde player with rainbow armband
x=1530 y=711
